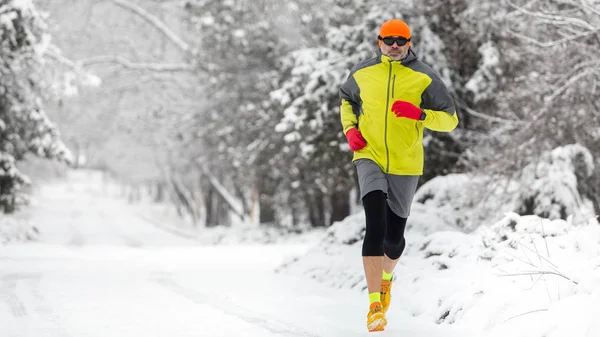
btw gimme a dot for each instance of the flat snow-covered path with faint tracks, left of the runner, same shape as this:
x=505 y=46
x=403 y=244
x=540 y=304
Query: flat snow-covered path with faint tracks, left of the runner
x=101 y=270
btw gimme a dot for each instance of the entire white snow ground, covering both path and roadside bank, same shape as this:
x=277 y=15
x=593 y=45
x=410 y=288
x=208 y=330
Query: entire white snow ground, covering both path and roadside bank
x=100 y=266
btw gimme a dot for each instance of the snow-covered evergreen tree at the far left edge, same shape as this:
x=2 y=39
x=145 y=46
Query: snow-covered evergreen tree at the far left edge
x=24 y=126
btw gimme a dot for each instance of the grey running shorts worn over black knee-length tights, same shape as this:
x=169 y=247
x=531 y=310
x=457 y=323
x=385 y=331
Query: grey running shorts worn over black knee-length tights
x=400 y=189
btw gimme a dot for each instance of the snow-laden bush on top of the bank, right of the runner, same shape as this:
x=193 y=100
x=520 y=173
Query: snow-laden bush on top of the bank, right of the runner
x=547 y=188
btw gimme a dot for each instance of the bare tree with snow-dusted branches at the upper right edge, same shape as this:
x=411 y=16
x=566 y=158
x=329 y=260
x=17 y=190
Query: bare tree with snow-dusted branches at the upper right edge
x=541 y=84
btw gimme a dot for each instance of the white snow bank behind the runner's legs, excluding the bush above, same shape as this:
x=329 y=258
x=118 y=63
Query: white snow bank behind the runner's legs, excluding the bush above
x=545 y=270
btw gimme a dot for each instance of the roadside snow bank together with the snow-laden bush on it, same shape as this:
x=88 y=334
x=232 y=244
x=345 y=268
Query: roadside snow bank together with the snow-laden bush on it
x=472 y=260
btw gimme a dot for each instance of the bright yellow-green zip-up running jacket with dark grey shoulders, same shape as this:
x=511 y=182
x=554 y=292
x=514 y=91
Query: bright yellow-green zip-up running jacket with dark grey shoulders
x=395 y=144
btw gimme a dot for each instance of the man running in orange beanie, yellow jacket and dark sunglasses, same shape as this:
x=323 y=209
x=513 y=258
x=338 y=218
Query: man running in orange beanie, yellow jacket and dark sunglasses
x=387 y=101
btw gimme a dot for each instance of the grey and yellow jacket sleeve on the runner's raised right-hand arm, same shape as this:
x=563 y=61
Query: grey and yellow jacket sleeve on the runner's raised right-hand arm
x=438 y=107
